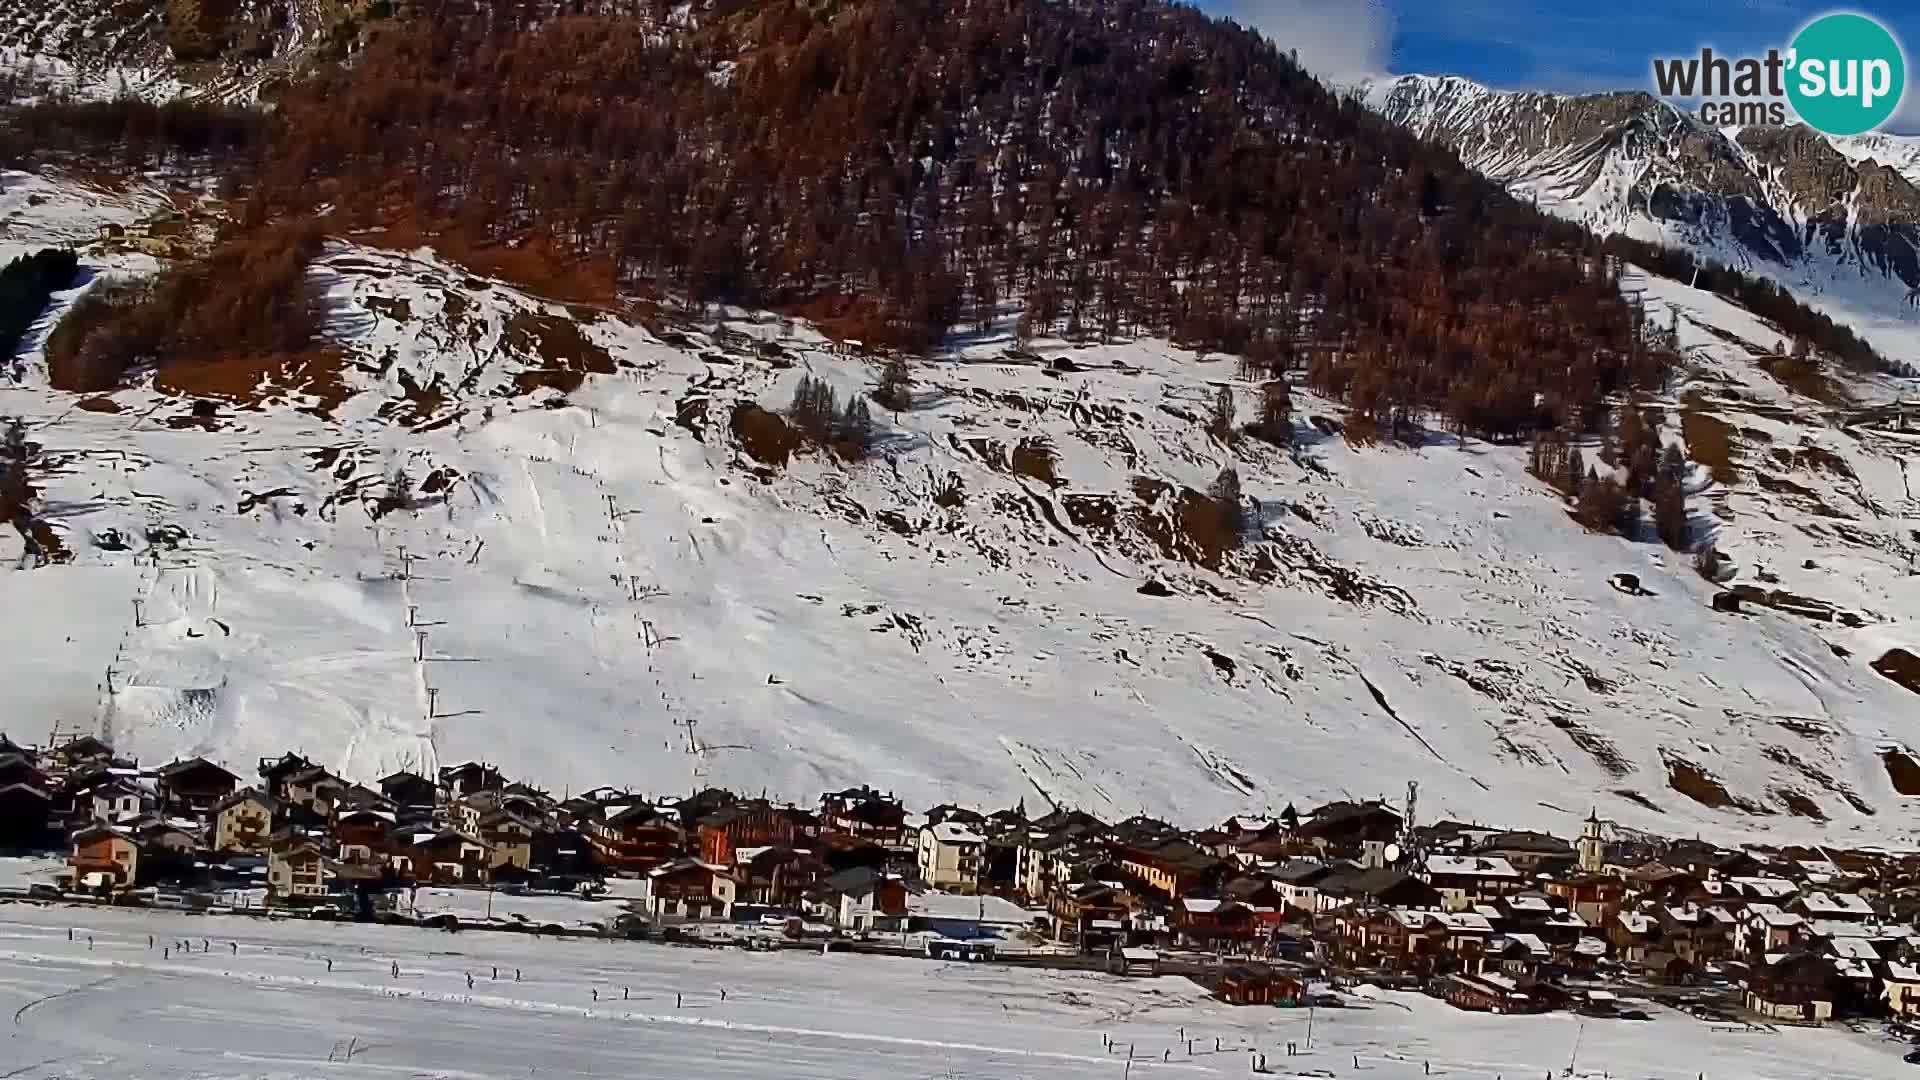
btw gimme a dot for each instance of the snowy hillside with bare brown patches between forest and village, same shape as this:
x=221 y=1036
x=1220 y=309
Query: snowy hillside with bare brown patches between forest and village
x=594 y=583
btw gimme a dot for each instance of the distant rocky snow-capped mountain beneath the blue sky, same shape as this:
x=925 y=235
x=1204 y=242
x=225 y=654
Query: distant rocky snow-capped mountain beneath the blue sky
x=1835 y=220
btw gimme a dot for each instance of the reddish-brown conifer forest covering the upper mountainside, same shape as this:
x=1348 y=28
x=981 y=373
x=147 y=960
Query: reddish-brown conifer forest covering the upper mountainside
x=915 y=168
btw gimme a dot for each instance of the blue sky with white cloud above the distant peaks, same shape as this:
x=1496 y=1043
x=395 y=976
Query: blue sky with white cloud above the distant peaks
x=1545 y=45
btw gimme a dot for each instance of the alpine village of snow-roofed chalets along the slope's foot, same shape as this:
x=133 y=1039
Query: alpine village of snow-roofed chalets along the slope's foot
x=1259 y=910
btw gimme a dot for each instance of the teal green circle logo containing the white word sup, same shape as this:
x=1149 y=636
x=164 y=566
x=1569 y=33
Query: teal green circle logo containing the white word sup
x=1846 y=74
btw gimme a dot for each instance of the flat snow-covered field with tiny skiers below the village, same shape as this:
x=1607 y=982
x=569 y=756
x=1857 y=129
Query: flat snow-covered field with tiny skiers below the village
x=258 y=1000
